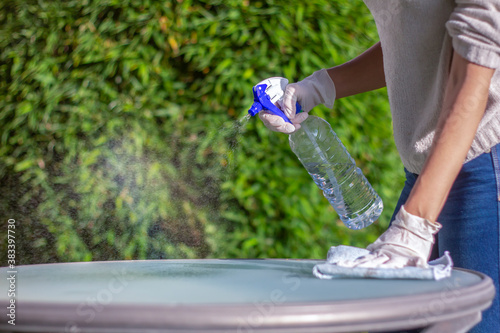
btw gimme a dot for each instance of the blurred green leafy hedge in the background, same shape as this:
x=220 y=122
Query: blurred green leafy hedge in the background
x=120 y=135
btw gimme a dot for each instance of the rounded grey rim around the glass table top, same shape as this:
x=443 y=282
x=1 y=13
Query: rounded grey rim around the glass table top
x=343 y=316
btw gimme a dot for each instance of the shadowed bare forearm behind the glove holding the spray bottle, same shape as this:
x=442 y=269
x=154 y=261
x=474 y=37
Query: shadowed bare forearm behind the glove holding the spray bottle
x=361 y=74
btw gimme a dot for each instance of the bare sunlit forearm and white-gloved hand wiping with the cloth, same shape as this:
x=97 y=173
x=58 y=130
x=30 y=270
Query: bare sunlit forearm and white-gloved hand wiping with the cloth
x=408 y=241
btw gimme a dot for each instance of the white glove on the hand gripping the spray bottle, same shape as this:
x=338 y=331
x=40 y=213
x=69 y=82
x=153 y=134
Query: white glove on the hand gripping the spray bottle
x=315 y=89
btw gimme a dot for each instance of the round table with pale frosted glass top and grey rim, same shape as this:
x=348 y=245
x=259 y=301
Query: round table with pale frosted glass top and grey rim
x=234 y=295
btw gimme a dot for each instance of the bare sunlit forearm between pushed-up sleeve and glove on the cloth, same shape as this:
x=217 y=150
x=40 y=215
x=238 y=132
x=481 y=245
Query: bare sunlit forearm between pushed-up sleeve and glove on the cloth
x=464 y=104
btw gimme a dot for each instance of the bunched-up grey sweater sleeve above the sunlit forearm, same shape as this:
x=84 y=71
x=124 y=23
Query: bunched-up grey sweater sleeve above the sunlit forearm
x=474 y=26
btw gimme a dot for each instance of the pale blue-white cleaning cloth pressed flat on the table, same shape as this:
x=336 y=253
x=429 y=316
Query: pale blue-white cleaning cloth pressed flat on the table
x=438 y=269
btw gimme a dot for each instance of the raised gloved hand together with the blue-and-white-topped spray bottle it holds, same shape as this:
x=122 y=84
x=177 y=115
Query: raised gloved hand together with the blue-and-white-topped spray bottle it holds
x=316 y=145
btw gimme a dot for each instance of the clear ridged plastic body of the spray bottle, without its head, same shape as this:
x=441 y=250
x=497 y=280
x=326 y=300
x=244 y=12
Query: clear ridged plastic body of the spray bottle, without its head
x=335 y=172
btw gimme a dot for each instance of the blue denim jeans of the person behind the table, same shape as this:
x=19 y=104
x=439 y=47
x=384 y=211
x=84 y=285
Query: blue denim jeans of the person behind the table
x=470 y=220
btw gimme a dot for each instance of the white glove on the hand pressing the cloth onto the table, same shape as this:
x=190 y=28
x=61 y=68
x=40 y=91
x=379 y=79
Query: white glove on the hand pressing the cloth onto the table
x=407 y=242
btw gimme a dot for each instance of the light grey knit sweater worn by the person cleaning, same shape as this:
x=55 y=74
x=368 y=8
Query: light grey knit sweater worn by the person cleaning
x=418 y=38
